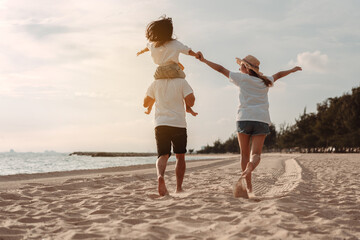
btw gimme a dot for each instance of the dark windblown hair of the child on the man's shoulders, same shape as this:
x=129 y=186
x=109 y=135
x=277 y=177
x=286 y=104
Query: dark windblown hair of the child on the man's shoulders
x=160 y=31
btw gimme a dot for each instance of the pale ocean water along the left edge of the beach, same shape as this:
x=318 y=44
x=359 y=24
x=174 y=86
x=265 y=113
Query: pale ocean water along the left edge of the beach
x=17 y=163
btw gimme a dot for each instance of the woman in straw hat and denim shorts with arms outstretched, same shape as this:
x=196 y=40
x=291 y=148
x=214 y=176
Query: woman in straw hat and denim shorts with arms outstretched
x=253 y=116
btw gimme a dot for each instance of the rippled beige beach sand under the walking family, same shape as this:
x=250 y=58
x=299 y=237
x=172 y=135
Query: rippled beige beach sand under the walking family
x=312 y=196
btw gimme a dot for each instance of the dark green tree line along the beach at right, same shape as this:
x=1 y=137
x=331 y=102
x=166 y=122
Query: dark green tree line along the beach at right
x=335 y=127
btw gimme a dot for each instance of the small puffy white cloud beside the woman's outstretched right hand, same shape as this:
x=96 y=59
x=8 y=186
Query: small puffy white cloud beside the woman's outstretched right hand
x=312 y=61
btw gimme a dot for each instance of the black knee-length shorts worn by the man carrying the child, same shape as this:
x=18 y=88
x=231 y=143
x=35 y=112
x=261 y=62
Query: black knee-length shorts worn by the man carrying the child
x=166 y=135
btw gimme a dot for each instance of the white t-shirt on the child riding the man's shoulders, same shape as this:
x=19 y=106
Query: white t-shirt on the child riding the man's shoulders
x=167 y=53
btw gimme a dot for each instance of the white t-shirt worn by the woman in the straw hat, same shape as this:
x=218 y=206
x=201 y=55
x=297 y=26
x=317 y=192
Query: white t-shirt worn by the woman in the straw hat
x=253 y=97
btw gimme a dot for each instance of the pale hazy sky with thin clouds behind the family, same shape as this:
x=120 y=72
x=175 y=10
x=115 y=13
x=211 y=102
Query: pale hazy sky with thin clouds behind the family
x=70 y=79
